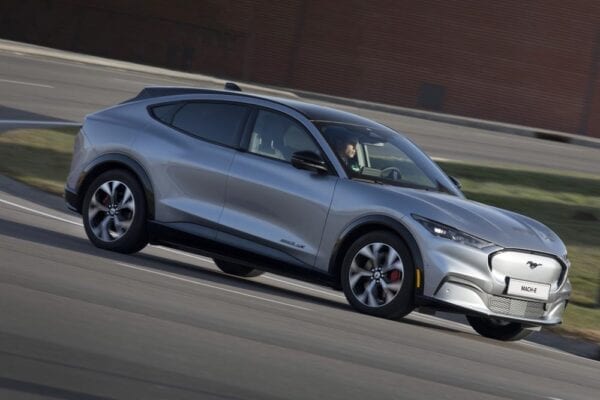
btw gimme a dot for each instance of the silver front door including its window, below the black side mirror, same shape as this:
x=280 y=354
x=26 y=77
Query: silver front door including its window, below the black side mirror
x=279 y=208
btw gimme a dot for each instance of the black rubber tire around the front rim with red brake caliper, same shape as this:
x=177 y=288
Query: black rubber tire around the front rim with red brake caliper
x=403 y=301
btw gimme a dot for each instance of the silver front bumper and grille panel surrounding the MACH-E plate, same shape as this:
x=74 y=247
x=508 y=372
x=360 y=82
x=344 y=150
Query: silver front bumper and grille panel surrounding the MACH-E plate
x=468 y=281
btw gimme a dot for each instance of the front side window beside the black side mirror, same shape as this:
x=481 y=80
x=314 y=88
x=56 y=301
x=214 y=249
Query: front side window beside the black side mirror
x=277 y=136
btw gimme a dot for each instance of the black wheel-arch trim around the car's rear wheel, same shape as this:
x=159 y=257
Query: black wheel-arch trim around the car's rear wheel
x=115 y=160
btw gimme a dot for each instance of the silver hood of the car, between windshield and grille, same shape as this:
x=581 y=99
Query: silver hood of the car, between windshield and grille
x=504 y=228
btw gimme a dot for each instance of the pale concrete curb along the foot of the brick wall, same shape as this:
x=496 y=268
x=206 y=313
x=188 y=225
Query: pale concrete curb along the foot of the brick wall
x=24 y=48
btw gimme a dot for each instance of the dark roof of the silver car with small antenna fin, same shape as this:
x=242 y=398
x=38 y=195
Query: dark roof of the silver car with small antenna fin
x=311 y=111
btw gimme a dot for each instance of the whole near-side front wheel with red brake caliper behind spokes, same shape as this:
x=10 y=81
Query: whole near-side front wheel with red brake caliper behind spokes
x=378 y=275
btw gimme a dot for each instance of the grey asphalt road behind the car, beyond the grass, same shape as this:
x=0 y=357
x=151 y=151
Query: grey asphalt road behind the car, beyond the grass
x=36 y=88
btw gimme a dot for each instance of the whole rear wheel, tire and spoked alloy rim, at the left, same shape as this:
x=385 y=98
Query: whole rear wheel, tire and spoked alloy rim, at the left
x=114 y=212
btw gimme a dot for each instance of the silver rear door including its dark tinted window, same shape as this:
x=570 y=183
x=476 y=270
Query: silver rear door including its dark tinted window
x=195 y=146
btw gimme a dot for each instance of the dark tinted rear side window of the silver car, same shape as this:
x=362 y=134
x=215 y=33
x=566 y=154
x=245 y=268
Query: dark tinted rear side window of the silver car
x=216 y=122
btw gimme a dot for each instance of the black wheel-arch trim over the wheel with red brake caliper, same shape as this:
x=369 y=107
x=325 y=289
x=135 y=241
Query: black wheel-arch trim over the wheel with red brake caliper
x=355 y=229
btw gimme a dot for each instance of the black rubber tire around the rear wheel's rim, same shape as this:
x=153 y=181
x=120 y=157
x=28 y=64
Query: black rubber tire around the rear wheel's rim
x=135 y=236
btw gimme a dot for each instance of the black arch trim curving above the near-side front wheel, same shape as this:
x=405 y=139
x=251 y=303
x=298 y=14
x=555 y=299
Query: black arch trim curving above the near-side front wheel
x=373 y=223
